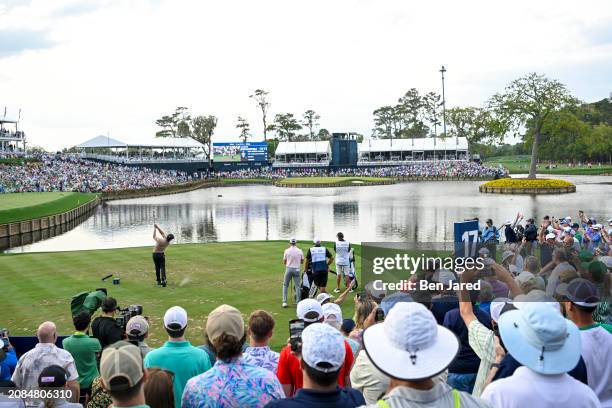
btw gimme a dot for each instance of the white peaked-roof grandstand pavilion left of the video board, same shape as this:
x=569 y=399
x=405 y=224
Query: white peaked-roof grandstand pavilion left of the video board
x=154 y=150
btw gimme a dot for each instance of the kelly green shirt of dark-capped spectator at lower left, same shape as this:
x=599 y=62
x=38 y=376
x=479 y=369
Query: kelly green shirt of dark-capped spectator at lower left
x=83 y=349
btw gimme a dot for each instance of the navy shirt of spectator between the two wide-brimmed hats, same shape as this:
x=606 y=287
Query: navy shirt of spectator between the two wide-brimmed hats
x=467 y=361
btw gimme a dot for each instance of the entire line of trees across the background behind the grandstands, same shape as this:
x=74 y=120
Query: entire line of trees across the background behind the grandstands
x=549 y=122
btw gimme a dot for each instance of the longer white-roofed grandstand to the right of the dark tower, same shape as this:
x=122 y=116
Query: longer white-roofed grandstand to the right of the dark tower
x=403 y=151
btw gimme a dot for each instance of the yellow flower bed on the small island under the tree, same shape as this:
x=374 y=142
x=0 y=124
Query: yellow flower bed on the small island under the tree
x=527 y=186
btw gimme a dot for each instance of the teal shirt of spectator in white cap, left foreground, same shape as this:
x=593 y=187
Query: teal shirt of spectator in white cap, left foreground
x=182 y=359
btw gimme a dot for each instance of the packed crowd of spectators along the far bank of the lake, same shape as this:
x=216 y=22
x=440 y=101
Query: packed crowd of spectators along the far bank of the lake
x=72 y=173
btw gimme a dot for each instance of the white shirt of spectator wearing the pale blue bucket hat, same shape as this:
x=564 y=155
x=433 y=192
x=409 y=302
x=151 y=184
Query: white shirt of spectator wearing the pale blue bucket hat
x=526 y=388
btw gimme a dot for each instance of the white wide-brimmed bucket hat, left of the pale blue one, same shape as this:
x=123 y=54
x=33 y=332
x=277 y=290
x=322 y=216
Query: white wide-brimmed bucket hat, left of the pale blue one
x=409 y=344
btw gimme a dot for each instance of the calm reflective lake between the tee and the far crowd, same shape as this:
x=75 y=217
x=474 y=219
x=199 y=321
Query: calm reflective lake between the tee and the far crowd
x=419 y=211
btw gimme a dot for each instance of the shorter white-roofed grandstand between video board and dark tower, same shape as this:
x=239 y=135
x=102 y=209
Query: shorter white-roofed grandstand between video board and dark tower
x=302 y=154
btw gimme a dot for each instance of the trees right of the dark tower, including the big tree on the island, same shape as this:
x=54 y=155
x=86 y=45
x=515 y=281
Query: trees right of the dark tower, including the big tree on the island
x=549 y=121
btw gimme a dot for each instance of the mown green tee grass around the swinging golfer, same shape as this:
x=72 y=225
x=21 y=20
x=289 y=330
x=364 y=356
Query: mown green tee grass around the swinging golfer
x=39 y=286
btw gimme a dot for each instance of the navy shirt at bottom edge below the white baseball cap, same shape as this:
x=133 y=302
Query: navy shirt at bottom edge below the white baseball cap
x=339 y=398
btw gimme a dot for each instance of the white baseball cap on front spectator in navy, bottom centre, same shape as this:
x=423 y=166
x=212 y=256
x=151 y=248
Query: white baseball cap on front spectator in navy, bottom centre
x=322 y=344
